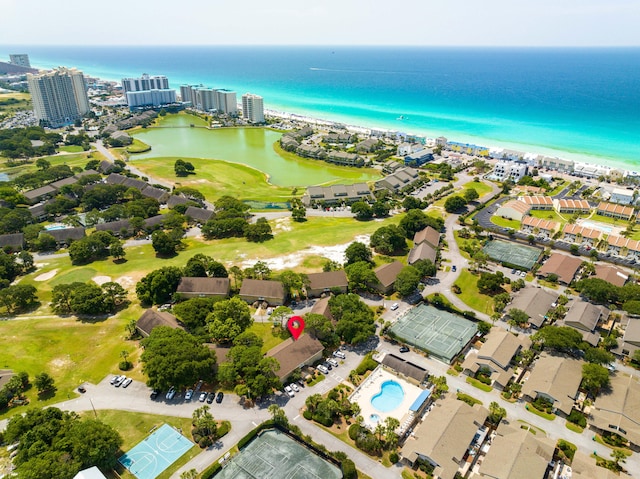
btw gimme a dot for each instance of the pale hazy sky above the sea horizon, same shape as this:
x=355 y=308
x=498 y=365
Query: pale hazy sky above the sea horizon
x=321 y=22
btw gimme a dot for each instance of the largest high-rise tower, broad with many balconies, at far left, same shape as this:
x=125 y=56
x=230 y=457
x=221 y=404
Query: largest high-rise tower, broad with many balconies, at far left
x=59 y=96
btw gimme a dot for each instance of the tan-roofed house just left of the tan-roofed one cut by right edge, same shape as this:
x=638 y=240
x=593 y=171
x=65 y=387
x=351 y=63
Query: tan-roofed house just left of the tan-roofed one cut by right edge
x=555 y=378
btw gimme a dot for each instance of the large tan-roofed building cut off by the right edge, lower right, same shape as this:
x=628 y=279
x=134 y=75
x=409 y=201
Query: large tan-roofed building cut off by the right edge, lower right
x=617 y=409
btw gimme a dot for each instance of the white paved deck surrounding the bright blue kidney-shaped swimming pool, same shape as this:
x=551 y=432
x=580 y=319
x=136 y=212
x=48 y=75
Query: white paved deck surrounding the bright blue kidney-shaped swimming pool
x=372 y=386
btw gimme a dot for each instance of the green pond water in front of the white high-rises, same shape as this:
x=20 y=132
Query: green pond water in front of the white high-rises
x=250 y=146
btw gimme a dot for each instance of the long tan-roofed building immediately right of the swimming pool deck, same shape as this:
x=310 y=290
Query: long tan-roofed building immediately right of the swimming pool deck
x=445 y=436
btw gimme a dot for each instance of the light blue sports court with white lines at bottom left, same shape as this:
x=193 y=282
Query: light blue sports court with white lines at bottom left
x=158 y=451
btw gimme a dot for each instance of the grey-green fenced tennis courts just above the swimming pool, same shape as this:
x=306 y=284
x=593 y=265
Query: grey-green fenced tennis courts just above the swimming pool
x=441 y=333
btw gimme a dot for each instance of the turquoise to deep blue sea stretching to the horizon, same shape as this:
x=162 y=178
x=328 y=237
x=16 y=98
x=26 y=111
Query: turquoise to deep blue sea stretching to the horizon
x=574 y=103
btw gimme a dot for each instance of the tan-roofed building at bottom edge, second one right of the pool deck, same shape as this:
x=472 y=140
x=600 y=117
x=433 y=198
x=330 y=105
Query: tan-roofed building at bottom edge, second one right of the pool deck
x=515 y=453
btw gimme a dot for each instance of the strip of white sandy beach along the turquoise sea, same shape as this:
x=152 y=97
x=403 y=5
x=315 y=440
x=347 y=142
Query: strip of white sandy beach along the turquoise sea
x=319 y=118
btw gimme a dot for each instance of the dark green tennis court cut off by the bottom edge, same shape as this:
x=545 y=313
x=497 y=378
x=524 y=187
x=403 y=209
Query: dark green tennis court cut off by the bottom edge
x=274 y=455
